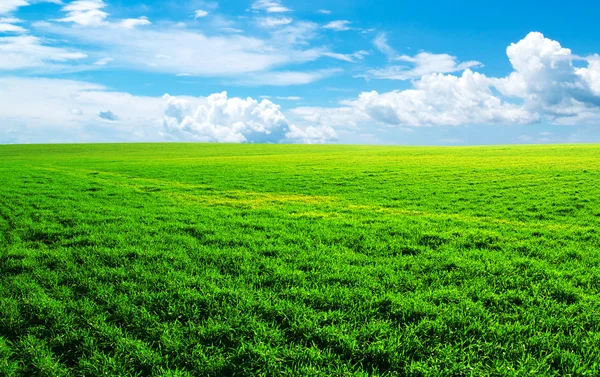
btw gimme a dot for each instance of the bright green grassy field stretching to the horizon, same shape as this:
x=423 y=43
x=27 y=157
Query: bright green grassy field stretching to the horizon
x=282 y=260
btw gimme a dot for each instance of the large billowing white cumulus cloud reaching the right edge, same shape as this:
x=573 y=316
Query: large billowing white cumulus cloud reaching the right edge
x=545 y=85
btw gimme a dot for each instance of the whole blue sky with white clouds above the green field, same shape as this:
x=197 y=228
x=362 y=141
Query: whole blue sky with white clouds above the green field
x=418 y=73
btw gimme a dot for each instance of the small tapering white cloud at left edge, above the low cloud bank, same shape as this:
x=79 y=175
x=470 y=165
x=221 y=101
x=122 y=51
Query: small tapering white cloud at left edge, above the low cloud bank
x=25 y=52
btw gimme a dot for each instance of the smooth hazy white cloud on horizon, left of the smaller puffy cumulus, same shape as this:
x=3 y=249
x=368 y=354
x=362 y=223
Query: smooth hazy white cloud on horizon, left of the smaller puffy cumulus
x=52 y=110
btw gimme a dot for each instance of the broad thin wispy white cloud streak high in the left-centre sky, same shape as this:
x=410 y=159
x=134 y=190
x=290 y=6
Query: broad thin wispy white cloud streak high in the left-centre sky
x=193 y=52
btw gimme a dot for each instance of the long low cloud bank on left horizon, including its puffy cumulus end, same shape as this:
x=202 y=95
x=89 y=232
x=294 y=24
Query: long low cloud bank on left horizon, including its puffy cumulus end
x=52 y=110
